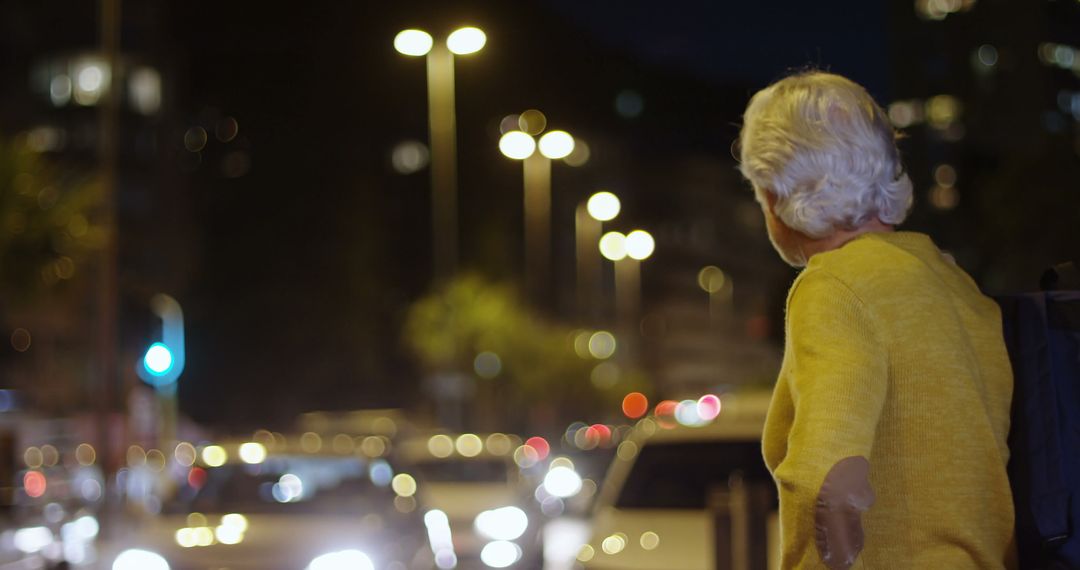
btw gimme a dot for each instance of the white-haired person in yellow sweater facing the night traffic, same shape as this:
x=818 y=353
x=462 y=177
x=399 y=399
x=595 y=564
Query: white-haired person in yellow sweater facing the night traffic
x=887 y=430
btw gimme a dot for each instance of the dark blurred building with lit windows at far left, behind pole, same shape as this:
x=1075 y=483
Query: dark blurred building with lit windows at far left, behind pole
x=57 y=80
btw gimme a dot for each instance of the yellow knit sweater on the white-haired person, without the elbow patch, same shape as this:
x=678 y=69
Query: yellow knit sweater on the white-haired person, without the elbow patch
x=895 y=356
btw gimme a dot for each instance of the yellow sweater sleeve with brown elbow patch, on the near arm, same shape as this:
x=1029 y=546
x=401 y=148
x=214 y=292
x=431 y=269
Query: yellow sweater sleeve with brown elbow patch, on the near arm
x=838 y=374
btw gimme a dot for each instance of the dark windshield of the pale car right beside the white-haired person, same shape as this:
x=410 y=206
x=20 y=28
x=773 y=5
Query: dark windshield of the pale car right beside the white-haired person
x=681 y=476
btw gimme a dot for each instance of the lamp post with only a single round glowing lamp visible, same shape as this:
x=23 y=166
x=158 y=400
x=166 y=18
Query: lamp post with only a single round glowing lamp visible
x=589 y=224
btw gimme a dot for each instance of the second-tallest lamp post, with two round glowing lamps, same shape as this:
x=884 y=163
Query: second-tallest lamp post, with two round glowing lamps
x=521 y=146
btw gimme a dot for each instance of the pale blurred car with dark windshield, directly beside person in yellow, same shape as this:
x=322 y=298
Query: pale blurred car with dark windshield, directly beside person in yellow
x=688 y=498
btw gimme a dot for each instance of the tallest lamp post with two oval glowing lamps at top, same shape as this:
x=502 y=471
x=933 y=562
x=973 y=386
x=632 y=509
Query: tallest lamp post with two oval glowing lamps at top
x=443 y=133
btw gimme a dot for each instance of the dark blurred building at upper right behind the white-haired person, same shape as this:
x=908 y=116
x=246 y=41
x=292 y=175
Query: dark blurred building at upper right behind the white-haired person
x=989 y=96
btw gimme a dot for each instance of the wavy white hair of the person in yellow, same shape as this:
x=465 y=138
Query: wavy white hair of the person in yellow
x=826 y=151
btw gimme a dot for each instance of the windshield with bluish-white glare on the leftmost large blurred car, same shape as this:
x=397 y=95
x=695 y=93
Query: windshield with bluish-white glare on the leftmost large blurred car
x=289 y=486
